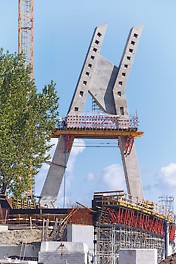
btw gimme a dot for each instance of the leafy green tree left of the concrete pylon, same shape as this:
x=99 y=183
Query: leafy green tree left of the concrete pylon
x=26 y=120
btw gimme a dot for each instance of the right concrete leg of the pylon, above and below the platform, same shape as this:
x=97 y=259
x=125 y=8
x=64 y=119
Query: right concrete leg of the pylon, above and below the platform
x=130 y=164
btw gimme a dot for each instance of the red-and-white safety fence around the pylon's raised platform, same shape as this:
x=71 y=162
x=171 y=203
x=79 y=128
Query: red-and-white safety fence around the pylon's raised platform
x=99 y=122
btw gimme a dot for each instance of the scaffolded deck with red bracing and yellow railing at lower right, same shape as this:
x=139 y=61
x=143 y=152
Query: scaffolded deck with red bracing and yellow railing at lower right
x=124 y=222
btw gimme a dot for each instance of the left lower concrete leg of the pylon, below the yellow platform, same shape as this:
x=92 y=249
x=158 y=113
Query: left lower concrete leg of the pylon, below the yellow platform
x=55 y=174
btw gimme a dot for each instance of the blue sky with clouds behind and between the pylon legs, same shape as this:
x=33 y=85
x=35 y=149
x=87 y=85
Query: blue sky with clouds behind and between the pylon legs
x=63 y=30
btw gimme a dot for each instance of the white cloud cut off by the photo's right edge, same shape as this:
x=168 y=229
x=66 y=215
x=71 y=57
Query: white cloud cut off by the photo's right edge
x=169 y=174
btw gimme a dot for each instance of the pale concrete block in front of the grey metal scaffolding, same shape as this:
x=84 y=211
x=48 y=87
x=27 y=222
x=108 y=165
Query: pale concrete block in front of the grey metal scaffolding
x=138 y=256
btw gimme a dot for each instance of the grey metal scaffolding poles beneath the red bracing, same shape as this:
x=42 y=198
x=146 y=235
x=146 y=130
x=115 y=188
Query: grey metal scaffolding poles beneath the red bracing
x=109 y=239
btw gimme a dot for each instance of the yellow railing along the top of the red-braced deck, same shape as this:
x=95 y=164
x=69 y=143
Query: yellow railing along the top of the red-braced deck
x=140 y=204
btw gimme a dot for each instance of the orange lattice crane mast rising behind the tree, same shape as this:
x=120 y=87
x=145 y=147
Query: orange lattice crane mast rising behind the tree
x=26 y=31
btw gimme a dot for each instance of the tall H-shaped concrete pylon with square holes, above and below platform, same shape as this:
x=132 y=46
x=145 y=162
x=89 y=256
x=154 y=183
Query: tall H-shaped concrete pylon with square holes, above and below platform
x=106 y=83
